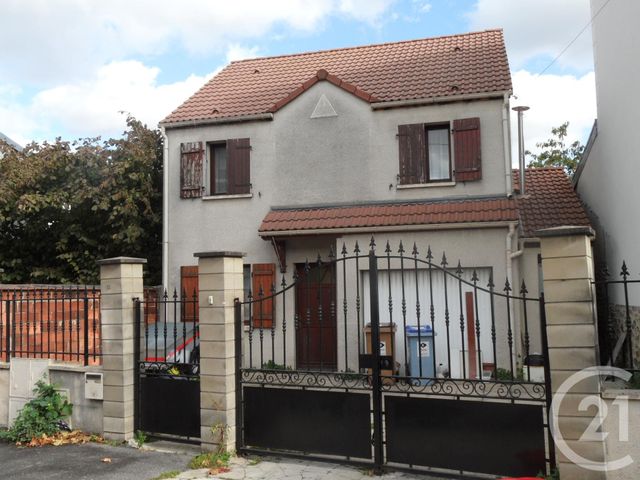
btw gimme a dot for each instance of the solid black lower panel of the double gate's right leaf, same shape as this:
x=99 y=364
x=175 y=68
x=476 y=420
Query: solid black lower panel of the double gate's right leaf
x=463 y=435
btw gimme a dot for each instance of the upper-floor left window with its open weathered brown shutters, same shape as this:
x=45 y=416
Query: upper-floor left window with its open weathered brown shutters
x=229 y=168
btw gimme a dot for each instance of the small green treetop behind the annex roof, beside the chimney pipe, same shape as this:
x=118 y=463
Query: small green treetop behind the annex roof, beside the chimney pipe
x=556 y=153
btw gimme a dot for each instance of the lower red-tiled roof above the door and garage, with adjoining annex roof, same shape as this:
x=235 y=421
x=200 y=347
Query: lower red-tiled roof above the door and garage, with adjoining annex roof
x=550 y=201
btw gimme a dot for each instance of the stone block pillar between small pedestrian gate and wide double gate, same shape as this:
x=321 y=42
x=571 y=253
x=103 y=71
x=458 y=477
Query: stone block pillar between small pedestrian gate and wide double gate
x=220 y=282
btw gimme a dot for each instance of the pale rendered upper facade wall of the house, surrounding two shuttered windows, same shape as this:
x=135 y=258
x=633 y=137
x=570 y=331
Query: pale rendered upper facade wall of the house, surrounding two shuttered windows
x=296 y=160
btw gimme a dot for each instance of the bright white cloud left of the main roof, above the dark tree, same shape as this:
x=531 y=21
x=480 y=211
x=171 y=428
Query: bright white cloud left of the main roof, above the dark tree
x=93 y=107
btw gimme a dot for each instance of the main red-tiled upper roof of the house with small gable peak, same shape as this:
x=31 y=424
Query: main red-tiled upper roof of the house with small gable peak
x=433 y=67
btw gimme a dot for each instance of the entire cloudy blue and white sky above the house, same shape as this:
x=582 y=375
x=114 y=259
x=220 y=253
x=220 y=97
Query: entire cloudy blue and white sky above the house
x=70 y=67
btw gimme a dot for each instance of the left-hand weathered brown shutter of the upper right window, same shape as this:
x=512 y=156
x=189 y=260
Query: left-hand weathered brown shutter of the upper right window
x=412 y=147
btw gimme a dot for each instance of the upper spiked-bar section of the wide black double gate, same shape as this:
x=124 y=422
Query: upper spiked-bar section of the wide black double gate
x=471 y=326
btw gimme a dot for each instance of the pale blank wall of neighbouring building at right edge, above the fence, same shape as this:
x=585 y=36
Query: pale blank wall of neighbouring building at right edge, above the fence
x=609 y=181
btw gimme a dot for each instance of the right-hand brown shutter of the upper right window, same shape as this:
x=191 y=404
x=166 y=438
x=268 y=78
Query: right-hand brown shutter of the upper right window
x=466 y=144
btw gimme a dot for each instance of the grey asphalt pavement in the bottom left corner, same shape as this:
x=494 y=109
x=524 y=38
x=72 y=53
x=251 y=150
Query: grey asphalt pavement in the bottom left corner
x=85 y=462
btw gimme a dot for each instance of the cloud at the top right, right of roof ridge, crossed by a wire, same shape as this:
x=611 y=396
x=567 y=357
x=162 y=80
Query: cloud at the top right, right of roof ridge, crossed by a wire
x=536 y=28
